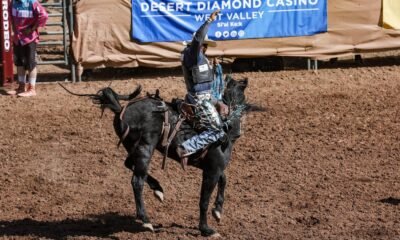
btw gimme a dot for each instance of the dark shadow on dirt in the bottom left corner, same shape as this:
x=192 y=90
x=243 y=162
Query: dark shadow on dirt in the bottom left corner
x=99 y=226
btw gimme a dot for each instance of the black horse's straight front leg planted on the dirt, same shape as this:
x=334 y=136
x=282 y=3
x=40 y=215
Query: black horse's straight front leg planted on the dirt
x=210 y=180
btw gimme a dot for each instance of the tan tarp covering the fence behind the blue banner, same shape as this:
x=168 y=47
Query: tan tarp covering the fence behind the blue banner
x=102 y=37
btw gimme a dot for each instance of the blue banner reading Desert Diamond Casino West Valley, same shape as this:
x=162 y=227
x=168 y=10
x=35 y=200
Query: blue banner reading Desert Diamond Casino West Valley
x=177 y=20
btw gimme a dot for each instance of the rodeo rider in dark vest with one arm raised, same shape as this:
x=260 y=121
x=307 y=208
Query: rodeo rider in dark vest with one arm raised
x=199 y=77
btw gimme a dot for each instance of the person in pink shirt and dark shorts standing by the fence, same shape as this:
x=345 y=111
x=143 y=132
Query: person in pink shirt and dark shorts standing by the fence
x=27 y=17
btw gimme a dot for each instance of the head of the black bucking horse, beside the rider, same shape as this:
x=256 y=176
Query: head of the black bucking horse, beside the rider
x=235 y=98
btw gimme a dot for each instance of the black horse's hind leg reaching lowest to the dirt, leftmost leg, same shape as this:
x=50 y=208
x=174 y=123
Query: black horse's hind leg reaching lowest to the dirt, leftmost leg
x=142 y=157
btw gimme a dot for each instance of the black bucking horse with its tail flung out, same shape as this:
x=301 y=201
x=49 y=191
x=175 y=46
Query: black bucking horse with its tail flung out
x=141 y=127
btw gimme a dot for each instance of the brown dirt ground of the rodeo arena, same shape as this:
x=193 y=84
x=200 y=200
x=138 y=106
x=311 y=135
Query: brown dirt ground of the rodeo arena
x=321 y=162
